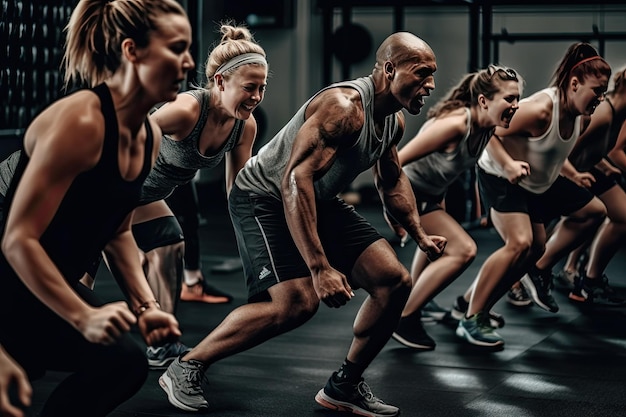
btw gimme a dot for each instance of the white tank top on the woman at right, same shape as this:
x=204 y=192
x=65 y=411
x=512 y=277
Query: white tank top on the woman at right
x=546 y=154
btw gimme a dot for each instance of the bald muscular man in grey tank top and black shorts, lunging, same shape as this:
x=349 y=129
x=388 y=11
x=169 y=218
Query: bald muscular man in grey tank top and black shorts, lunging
x=301 y=245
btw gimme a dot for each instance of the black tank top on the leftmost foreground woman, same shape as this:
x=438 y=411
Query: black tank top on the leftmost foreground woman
x=95 y=205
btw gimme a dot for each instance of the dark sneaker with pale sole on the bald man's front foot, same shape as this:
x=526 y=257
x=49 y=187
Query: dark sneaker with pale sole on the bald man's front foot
x=353 y=398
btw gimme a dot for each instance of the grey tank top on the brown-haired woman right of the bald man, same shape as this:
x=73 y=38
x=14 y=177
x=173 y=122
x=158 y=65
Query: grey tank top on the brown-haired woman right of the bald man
x=434 y=173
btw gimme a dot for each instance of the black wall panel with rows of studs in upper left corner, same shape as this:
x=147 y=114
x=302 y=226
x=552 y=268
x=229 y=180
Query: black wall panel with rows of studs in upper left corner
x=31 y=33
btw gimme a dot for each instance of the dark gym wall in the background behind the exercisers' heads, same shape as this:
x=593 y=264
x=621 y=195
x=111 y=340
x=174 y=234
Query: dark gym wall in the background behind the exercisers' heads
x=295 y=51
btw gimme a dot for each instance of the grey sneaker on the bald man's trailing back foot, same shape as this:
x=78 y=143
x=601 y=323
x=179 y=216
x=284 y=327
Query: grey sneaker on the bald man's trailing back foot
x=182 y=382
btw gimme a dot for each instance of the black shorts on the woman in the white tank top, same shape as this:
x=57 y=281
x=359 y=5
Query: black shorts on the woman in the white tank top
x=563 y=198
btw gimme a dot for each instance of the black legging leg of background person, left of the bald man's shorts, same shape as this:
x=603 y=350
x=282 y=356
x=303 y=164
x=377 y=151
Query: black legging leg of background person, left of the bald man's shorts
x=184 y=204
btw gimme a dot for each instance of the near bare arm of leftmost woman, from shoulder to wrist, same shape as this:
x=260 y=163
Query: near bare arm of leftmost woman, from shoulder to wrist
x=60 y=148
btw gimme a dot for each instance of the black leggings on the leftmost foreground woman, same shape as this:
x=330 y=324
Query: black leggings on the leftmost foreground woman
x=101 y=377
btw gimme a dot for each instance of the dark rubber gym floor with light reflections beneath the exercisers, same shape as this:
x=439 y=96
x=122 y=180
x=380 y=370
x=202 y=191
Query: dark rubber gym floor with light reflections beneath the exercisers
x=571 y=363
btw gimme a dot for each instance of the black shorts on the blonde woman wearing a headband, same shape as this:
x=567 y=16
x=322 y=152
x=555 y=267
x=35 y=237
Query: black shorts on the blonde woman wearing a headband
x=156 y=233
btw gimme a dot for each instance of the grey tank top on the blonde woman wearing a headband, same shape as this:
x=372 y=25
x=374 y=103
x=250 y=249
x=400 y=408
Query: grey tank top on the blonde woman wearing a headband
x=179 y=160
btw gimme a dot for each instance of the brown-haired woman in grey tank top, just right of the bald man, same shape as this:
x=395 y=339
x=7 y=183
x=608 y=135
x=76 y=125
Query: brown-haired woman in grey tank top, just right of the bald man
x=448 y=144
